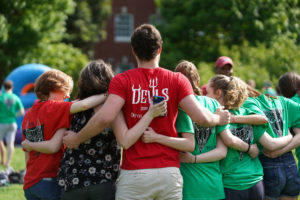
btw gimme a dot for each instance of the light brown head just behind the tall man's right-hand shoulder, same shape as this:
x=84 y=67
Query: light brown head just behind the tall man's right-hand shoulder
x=190 y=71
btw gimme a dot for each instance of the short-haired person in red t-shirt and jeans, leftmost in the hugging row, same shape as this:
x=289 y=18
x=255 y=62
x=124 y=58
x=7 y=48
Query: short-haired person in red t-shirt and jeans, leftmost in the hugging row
x=40 y=123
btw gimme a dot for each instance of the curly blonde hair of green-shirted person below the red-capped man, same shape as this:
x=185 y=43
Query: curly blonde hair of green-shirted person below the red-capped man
x=234 y=90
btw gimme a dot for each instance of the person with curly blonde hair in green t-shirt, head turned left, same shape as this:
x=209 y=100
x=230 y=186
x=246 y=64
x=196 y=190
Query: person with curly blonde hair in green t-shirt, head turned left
x=242 y=173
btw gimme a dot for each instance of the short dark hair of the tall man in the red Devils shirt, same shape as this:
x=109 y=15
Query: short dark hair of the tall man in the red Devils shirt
x=146 y=41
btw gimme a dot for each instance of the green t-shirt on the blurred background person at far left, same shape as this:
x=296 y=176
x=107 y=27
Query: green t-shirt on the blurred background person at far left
x=10 y=104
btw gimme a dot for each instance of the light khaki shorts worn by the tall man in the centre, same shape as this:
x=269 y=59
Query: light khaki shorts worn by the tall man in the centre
x=148 y=184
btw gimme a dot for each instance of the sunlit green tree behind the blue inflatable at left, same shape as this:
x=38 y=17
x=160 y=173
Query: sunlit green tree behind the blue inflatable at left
x=31 y=31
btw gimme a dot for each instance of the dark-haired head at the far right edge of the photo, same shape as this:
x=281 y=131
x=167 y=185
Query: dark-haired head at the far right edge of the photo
x=289 y=84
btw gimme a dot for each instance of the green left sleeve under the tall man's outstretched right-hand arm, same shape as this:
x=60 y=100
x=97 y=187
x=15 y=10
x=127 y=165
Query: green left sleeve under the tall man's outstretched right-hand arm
x=184 y=123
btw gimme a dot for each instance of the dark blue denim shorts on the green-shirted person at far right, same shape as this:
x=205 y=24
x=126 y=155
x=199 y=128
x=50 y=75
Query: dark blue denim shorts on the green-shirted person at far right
x=281 y=177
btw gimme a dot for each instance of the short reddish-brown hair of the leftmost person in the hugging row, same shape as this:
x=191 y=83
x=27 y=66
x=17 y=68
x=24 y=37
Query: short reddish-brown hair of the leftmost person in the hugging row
x=51 y=81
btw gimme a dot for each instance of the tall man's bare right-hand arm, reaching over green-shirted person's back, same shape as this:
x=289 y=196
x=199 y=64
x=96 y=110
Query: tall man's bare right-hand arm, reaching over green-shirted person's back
x=202 y=115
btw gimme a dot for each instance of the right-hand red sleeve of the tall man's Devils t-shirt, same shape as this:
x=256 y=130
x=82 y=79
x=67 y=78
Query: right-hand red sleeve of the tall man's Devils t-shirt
x=184 y=87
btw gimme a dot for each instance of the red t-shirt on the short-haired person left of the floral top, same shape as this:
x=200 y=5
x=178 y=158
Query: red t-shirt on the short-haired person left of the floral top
x=39 y=124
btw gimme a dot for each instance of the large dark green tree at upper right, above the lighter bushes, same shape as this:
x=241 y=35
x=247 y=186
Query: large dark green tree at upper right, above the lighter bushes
x=196 y=29
